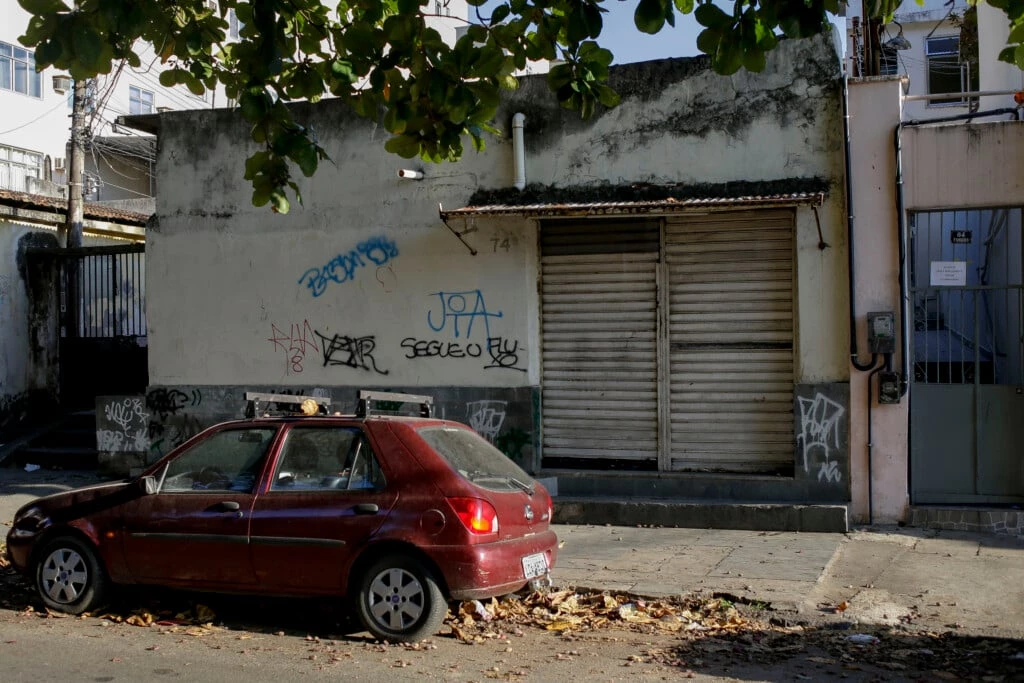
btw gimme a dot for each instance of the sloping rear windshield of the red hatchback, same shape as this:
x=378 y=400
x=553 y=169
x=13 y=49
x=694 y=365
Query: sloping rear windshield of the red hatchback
x=477 y=460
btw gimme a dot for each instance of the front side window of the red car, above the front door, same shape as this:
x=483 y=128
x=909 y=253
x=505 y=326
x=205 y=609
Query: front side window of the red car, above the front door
x=230 y=460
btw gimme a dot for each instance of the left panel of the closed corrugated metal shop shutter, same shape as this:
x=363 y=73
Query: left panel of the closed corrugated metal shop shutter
x=600 y=327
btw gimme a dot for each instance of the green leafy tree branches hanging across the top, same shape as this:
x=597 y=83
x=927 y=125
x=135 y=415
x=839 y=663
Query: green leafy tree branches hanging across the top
x=383 y=59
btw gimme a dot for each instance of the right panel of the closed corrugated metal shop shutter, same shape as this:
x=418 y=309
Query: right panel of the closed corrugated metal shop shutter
x=731 y=341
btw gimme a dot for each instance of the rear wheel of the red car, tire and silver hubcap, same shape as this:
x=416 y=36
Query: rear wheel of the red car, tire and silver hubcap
x=400 y=601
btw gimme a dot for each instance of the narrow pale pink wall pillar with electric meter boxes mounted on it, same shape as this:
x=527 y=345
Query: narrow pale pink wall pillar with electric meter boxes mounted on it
x=875 y=111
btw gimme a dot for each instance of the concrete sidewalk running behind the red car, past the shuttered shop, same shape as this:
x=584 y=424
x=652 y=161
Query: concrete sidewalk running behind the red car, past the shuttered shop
x=934 y=580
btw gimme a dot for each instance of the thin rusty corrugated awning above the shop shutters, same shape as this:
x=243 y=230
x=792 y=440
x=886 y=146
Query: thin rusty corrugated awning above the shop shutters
x=664 y=206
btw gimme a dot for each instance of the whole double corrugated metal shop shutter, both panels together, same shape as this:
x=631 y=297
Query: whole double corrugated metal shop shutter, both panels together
x=668 y=345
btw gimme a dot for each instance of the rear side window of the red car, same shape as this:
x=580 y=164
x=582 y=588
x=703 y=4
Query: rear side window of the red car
x=327 y=459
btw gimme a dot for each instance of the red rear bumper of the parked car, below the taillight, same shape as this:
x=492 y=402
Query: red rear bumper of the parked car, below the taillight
x=489 y=570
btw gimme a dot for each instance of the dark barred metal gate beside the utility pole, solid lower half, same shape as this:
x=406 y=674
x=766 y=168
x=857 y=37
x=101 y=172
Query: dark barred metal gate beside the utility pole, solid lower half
x=103 y=323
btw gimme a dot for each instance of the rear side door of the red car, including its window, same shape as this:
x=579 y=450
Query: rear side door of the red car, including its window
x=328 y=495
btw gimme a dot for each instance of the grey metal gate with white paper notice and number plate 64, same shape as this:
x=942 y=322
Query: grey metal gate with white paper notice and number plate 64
x=967 y=400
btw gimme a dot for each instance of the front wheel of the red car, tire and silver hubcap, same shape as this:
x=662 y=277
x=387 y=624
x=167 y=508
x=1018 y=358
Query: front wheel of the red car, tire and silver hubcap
x=70 y=577
